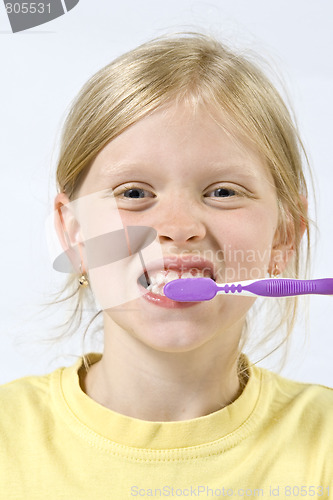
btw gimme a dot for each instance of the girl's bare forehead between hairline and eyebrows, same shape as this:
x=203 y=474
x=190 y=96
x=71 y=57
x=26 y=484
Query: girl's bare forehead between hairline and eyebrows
x=182 y=140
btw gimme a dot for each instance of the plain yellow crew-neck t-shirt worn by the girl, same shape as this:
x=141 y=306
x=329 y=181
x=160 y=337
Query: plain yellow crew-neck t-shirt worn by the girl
x=275 y=440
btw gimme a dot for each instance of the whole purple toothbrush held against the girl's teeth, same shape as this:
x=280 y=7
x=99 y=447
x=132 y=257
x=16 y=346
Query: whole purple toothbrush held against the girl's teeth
x=198 y=289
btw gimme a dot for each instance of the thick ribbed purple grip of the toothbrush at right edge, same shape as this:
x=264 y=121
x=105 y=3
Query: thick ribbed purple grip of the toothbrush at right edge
x=288 y=287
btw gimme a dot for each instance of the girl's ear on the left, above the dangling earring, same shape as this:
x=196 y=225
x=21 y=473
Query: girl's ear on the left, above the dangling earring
x=68 y=231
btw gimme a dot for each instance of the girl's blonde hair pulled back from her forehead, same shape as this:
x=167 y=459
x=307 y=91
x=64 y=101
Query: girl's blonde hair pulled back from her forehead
x=192 y=67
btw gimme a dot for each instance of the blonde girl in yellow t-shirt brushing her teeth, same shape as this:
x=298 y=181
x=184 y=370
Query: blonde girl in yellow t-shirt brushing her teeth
x=186 y=138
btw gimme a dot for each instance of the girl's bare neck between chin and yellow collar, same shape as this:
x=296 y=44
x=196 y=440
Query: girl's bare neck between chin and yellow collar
x=135 y=380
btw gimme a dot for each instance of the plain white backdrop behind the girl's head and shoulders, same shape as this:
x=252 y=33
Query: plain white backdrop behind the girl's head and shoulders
x=42 y=70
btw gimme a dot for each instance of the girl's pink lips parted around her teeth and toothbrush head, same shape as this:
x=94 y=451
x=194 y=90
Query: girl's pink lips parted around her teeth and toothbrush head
x=176 y=263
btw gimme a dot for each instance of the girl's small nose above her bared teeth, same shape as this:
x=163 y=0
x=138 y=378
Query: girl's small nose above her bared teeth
x=180 y=221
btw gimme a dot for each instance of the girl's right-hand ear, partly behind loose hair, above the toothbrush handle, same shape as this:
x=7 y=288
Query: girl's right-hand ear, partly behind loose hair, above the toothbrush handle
x=284 y=245
